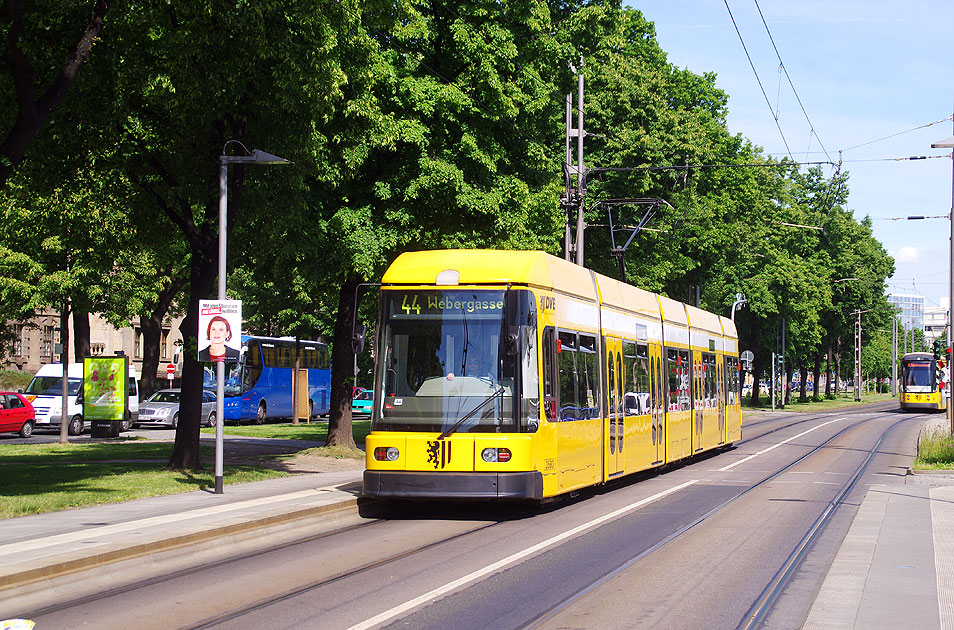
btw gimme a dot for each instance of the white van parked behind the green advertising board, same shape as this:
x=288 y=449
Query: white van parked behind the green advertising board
x=45 y=392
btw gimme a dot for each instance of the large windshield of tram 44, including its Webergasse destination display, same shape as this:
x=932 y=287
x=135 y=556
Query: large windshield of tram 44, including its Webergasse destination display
x=456 y=360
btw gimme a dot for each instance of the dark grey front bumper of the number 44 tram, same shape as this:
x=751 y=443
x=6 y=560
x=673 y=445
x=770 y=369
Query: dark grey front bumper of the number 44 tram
x=470 y=485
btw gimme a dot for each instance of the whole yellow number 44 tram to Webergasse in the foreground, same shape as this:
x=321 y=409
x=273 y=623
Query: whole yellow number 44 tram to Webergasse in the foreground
x=519 y=375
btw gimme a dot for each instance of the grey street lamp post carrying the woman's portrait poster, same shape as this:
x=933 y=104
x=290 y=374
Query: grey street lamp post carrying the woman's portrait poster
x=256 y=156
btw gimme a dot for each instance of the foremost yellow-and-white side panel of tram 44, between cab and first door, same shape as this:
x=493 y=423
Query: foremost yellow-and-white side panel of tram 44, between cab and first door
x=572 y=448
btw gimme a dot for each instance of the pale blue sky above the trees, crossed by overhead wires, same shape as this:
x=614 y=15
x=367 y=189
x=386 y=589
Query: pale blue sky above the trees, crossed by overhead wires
x=863 y=71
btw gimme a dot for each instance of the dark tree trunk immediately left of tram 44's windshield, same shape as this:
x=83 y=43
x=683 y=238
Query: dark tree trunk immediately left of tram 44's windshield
x=342 y=368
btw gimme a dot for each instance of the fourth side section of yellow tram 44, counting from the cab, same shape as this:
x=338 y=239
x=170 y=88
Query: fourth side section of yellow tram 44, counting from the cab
x=705 y=337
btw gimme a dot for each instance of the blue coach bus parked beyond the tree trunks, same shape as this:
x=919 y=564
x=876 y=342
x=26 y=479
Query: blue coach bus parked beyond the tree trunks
x=259 y=386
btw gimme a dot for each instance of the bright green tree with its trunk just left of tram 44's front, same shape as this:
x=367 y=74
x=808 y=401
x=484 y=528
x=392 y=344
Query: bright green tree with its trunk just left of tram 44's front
x=444 y=142
